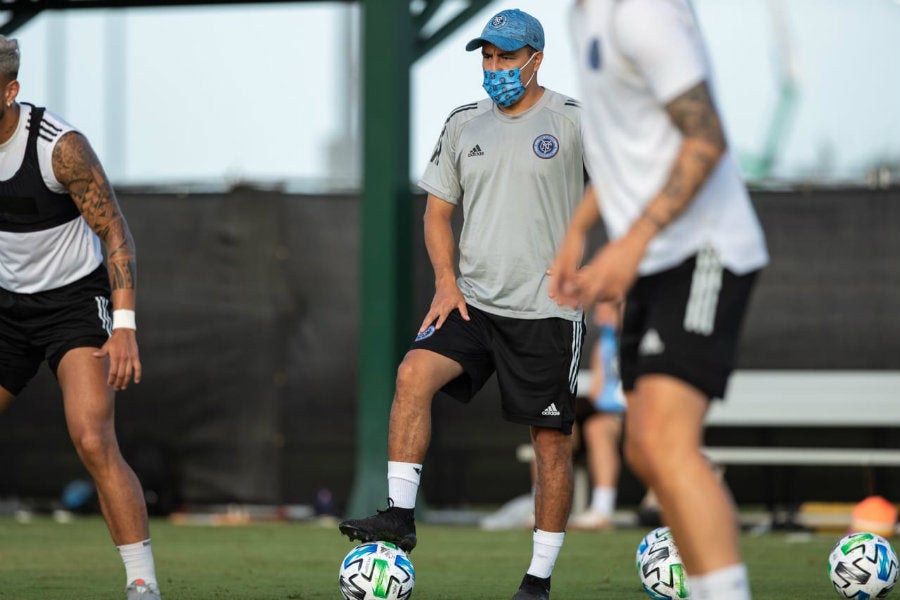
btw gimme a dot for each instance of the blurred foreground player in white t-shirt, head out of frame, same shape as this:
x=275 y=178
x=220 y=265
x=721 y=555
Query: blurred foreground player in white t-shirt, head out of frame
x=685 y=248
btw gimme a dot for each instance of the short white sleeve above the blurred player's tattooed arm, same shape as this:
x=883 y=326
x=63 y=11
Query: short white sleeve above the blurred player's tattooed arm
x=662 y=39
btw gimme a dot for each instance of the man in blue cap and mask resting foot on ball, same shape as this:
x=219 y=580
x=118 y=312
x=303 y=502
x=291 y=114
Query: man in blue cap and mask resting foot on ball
x=513 y=163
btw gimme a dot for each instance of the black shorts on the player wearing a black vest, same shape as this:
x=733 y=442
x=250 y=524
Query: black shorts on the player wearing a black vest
x=46 y=325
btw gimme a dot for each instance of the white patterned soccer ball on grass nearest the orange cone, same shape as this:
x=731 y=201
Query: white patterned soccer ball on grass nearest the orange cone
x=862 y=566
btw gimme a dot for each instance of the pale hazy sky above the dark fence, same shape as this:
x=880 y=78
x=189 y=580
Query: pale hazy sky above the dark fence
x=264 y=92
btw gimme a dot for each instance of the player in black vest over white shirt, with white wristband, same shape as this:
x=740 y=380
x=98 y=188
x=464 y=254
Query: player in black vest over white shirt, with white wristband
x=59 y=221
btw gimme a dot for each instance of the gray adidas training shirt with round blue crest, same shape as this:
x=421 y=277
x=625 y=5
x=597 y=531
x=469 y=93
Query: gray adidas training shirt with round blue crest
x=518 y=179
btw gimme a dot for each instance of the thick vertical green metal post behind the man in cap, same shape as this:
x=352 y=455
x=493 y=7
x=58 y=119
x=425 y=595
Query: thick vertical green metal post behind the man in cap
x=386 y=244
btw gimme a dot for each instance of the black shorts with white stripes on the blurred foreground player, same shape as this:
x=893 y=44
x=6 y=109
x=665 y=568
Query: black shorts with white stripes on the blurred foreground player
x=685 y=322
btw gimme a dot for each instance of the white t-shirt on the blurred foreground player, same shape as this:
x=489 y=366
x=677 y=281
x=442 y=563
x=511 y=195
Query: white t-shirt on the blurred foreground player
x=633 y=57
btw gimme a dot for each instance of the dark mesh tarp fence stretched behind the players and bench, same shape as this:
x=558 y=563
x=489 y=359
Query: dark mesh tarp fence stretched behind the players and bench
x=248 y=321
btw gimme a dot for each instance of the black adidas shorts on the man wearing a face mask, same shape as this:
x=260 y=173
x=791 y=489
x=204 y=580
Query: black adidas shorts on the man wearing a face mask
x=536 y=361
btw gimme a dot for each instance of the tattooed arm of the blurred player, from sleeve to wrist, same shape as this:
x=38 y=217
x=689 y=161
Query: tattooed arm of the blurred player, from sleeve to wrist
x=703 y=144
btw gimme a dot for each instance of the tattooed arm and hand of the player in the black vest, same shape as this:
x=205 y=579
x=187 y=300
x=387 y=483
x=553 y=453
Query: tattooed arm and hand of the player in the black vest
x=76 y=167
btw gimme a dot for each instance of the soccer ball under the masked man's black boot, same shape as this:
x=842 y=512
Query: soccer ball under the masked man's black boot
x=376 y=571
